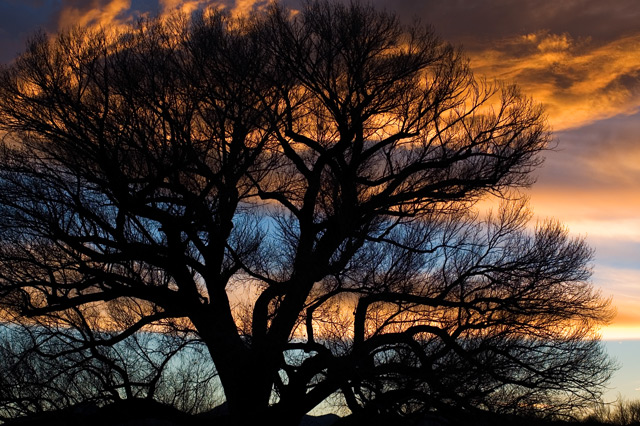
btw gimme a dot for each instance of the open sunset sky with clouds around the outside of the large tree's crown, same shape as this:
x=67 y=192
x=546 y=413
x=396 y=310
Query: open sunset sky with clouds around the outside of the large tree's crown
x=579 y=58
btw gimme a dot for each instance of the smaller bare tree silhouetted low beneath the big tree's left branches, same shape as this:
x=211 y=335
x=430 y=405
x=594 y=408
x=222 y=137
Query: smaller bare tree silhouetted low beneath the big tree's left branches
x=52 y=363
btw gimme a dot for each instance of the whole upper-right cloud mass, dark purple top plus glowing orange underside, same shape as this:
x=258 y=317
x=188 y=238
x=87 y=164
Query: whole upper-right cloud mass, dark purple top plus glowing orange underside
x=578 y=57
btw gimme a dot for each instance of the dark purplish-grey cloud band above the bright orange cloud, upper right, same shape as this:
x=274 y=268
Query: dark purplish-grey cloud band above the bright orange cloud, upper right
x=478 y=22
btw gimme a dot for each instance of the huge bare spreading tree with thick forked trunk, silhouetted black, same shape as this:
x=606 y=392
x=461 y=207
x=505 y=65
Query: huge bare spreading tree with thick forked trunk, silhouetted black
x=328 y=161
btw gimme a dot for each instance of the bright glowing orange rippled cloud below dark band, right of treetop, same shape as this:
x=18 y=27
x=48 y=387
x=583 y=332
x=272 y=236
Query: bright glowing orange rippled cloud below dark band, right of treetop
x=579 y=81
